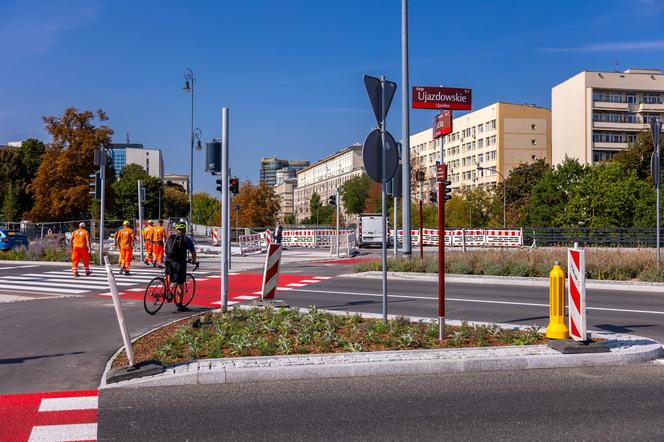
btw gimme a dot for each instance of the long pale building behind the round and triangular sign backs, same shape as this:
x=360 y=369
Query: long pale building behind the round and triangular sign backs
x=325 y=176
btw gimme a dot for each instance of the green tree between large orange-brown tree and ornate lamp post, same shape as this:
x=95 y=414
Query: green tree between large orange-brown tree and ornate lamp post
x=125 y=190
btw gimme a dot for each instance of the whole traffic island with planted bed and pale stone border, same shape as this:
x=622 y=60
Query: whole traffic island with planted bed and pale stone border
x=249 y=344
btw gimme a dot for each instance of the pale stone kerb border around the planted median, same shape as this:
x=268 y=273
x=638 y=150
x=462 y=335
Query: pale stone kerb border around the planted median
x=624 y=349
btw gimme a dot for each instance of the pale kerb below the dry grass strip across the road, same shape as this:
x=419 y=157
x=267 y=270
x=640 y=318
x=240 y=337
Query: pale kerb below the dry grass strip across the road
x=623 y=286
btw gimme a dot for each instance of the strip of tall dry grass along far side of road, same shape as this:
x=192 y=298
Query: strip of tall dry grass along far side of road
x=607 y=264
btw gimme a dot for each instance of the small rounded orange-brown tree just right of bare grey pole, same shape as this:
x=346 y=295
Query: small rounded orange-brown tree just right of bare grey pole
x=259 y=205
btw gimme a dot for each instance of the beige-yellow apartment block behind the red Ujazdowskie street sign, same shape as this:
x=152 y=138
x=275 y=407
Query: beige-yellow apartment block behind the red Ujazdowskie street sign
x=498 y=137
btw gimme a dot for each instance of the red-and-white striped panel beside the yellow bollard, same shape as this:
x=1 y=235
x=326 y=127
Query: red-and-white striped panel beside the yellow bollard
x=576 y=288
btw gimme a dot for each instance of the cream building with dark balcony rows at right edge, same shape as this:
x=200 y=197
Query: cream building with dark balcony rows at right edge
x=597 y=114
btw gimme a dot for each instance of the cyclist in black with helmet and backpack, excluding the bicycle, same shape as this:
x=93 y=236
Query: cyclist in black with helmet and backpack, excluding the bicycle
x=177 y=246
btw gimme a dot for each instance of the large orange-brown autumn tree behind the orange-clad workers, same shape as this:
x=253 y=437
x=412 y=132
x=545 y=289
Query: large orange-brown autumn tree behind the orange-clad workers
x=61 y=189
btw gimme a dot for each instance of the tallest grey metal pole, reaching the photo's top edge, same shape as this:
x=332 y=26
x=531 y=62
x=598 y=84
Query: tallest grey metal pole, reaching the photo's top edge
x=405 y=131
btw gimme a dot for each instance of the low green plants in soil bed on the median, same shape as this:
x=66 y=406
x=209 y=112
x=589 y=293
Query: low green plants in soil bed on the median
x=266 y=332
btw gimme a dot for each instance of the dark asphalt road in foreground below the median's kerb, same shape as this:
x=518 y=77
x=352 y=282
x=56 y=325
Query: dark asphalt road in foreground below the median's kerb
x=607 y=403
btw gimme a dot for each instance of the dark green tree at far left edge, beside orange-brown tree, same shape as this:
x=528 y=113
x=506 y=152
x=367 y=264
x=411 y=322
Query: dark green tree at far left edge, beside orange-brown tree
x=18 y=167
